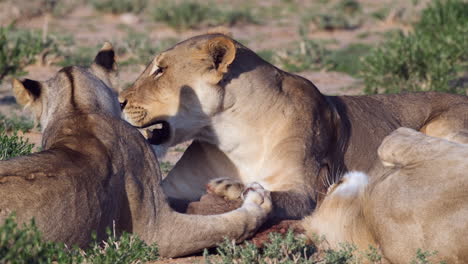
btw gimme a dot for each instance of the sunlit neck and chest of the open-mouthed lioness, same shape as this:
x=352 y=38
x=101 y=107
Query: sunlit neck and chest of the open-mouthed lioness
x=258 y=128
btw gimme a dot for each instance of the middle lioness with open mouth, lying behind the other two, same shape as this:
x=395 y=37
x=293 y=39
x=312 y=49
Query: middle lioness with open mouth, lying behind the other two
x=254 y=122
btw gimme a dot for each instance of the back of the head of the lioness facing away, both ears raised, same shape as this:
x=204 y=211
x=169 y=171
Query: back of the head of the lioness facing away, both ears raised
x=72 y=89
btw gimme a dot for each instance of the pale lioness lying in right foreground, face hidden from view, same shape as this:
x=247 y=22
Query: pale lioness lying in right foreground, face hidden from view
x=421 y=203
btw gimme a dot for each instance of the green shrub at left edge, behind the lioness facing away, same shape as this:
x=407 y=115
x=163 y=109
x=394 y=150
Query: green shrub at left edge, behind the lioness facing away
x=18 y=48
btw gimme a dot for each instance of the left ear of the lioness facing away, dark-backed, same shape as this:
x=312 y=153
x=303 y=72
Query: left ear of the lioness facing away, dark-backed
x=26 y=91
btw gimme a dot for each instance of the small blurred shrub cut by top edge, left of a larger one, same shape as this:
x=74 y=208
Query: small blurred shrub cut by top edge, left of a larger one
x=119 y=6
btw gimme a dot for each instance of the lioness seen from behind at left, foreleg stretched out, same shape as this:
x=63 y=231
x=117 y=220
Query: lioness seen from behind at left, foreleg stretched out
x=95 y=170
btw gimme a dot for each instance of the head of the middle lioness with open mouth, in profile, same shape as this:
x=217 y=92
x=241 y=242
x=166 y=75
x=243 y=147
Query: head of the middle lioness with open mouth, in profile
x=180 y=91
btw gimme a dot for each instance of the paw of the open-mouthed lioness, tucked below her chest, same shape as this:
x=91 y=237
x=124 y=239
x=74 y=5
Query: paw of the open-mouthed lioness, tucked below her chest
x=230 y=189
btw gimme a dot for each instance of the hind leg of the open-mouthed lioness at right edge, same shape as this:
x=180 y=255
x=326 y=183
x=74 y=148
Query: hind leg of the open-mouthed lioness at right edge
x=451 y=125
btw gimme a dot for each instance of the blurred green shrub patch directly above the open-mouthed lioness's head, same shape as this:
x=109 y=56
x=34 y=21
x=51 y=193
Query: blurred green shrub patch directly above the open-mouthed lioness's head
x=191 y=14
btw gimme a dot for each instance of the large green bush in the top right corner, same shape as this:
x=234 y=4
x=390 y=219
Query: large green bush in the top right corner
x=431 y=58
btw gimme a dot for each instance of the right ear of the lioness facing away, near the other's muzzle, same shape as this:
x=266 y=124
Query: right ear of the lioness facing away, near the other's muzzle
x=105 y=66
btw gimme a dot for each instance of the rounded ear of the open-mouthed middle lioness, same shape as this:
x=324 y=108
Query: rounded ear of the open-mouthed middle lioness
x=222 y=51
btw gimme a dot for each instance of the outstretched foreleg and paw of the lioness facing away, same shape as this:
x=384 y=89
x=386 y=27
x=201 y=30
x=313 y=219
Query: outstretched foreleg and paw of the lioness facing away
x=181 y=234
